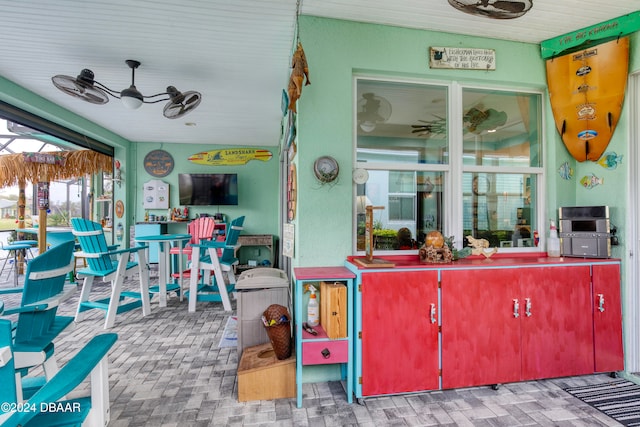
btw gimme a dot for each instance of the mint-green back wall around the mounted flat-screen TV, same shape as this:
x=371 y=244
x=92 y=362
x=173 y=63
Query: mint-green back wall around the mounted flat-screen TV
x=257 y=185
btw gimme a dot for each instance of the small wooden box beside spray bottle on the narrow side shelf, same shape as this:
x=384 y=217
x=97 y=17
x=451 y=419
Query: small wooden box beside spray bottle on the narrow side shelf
x=333 y=309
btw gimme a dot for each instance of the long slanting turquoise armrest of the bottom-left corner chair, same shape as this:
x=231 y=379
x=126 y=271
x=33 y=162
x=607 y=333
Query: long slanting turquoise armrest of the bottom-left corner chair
x=70 y=376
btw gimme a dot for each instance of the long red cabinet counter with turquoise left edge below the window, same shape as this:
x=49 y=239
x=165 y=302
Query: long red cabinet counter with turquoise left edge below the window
x=483 y=321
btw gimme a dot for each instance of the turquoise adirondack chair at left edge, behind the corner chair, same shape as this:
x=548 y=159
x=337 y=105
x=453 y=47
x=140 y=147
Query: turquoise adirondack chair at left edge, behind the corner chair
x=37 y=322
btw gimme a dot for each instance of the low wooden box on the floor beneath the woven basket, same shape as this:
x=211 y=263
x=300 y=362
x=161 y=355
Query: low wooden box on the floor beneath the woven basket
x=261 y=376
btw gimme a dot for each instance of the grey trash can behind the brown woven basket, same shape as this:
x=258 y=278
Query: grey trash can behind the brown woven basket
x=256 y=290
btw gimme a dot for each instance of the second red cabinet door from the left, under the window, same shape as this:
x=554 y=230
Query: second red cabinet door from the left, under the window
x=480 y=335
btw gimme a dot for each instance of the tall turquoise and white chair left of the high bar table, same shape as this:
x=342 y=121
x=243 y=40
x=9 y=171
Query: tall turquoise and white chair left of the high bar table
x=111 y=265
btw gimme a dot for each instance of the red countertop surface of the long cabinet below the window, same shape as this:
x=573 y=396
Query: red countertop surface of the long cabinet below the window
x=528 y=259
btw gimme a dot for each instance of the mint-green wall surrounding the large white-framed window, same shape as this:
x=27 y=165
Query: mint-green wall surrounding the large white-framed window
x=337 y=50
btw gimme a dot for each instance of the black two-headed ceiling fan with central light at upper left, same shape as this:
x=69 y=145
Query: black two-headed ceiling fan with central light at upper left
x=85 y=87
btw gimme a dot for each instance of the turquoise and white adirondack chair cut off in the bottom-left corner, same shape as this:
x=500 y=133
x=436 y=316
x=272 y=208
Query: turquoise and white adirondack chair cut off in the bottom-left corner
x=48 y=405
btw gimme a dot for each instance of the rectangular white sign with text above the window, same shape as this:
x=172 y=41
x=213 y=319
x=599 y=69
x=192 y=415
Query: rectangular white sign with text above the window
x=462 y=58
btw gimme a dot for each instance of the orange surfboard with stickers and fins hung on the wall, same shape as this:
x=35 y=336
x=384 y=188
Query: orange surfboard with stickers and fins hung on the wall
x=586 y=91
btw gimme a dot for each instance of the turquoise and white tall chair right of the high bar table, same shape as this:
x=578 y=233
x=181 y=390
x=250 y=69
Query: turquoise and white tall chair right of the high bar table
x=218 y=257
